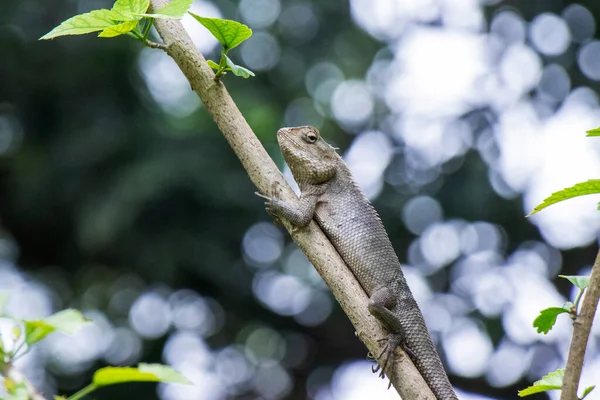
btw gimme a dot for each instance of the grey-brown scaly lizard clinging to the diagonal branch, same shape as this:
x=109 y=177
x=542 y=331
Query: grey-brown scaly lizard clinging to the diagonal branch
x=330 y=196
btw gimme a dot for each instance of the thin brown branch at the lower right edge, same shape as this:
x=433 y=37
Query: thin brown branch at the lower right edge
x=581 y=333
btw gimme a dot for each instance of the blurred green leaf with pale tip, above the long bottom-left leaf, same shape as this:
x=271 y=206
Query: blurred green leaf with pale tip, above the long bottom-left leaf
x=67 y=321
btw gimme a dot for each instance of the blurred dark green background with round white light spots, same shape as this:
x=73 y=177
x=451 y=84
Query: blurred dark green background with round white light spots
x=119 y=196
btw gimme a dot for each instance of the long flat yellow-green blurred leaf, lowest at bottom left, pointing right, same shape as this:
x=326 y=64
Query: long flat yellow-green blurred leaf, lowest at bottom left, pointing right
x=144 y=373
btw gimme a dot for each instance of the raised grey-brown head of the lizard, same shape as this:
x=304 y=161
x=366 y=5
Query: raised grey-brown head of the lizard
x=310 y=158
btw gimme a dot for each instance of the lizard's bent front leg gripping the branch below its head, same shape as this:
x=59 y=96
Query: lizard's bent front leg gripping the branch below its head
x=298 y=213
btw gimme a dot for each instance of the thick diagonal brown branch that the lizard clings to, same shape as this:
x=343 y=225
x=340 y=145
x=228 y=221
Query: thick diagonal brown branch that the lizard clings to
x=264 y=173
